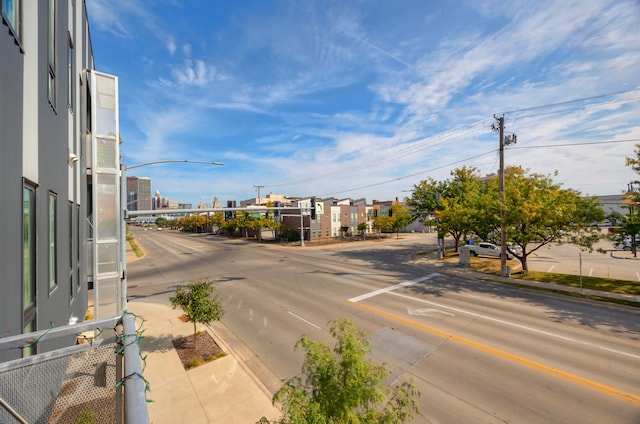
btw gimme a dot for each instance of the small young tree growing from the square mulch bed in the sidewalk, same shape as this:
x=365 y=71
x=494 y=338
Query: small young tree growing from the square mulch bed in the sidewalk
x=198 y=303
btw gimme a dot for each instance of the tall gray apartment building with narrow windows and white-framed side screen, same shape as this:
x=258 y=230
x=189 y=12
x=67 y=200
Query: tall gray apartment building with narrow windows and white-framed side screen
x=59 y=180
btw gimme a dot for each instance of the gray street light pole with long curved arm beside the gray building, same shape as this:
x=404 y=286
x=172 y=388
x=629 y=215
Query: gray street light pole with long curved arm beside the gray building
x=123 y=221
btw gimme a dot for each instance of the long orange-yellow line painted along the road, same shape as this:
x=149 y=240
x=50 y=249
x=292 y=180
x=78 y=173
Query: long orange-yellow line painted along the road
x=627 y=397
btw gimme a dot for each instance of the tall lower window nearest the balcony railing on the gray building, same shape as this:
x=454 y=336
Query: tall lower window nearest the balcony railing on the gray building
x=28 y=249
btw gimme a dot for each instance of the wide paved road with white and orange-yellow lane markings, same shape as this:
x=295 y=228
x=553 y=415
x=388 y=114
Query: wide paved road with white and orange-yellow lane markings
x=478 y=352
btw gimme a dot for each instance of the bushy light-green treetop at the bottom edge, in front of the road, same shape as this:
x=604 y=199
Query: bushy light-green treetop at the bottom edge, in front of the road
x=343 y=385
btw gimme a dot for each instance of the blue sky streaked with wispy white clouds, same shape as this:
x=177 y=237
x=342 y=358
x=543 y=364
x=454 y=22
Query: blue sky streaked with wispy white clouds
x=366 y=98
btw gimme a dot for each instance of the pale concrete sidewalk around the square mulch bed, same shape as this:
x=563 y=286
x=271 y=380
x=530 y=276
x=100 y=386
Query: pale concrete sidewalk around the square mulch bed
x=220 y=391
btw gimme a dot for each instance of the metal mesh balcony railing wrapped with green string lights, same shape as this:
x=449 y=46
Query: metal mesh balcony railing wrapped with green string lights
x=98 y=380
